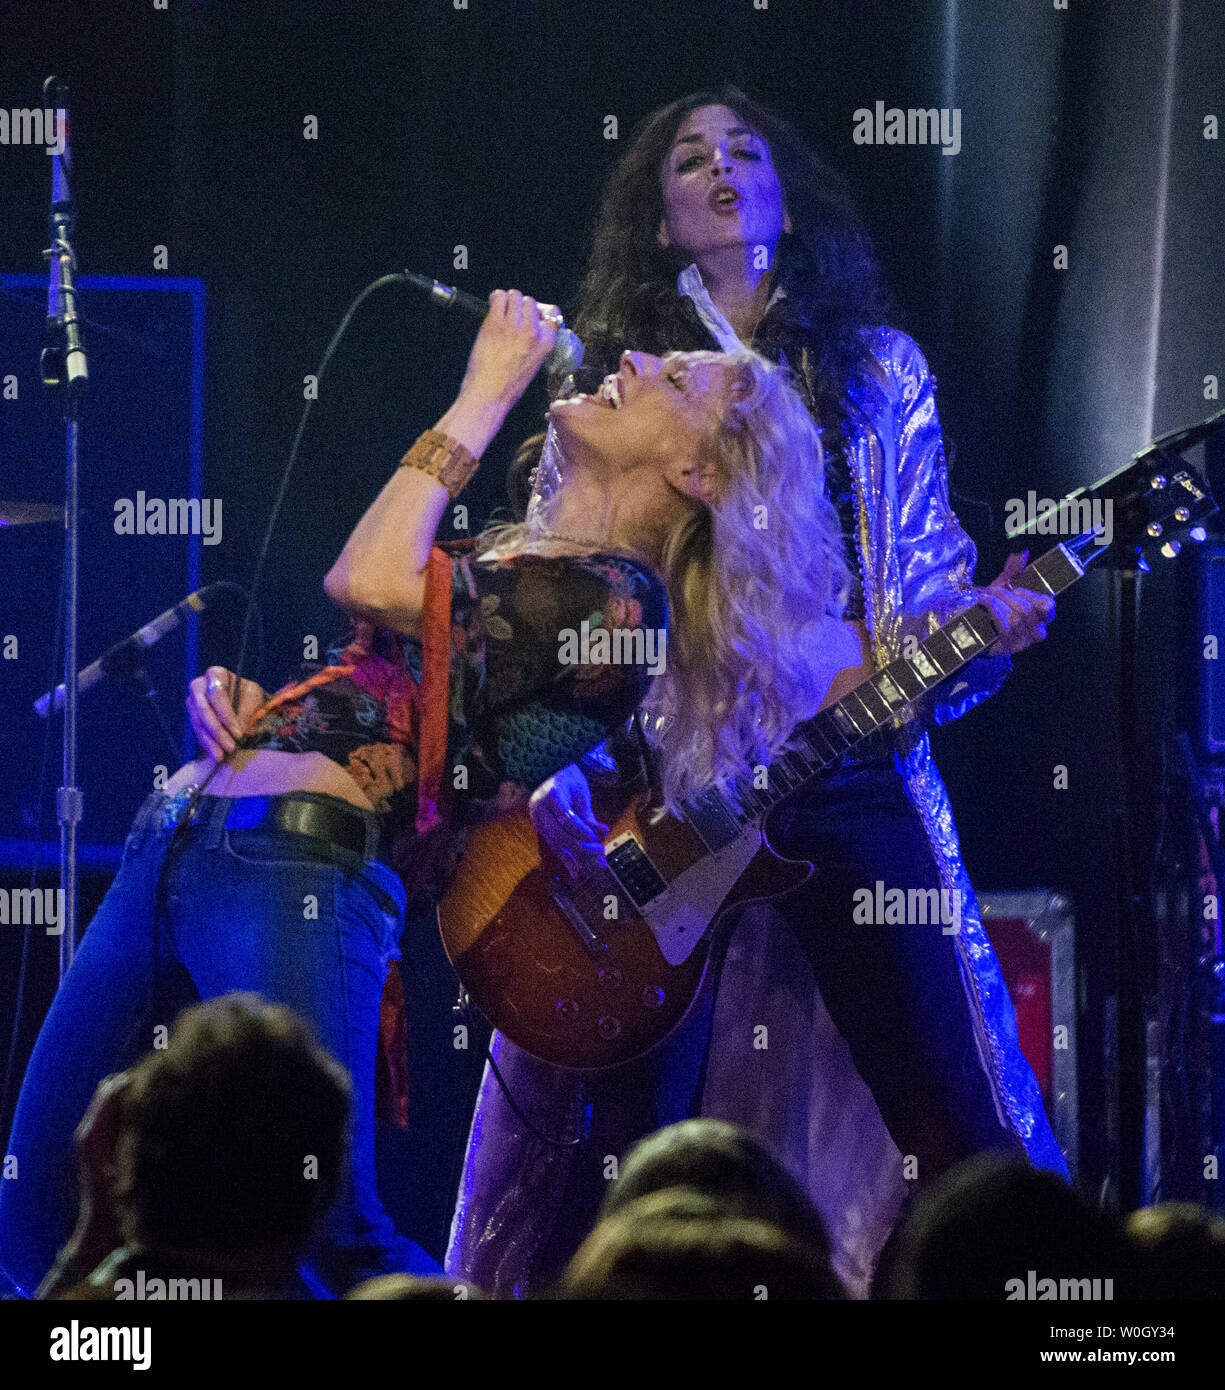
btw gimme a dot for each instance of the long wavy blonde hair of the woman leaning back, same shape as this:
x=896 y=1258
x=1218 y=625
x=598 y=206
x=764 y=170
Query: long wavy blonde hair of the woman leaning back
x=747 y=578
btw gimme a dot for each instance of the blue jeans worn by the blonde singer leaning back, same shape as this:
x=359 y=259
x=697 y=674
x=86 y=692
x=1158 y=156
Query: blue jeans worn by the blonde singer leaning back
x=198 y=915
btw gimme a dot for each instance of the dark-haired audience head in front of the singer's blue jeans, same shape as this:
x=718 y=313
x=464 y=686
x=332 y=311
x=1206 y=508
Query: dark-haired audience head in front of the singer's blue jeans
x=234 y=1139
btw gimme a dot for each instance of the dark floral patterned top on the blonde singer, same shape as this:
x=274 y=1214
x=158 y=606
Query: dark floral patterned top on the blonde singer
x=529 y=690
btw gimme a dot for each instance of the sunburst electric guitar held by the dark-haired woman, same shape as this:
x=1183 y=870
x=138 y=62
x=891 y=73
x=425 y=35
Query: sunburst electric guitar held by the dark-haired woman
x=590 y=974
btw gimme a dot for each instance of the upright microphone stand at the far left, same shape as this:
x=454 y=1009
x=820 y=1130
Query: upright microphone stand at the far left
x=65 y=370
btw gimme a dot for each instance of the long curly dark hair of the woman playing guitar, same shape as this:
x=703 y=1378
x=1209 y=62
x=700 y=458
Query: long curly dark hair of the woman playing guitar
x=827 y=266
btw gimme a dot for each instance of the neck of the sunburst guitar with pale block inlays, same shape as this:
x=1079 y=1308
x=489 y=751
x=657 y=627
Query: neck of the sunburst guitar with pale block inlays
x=873 y=705
